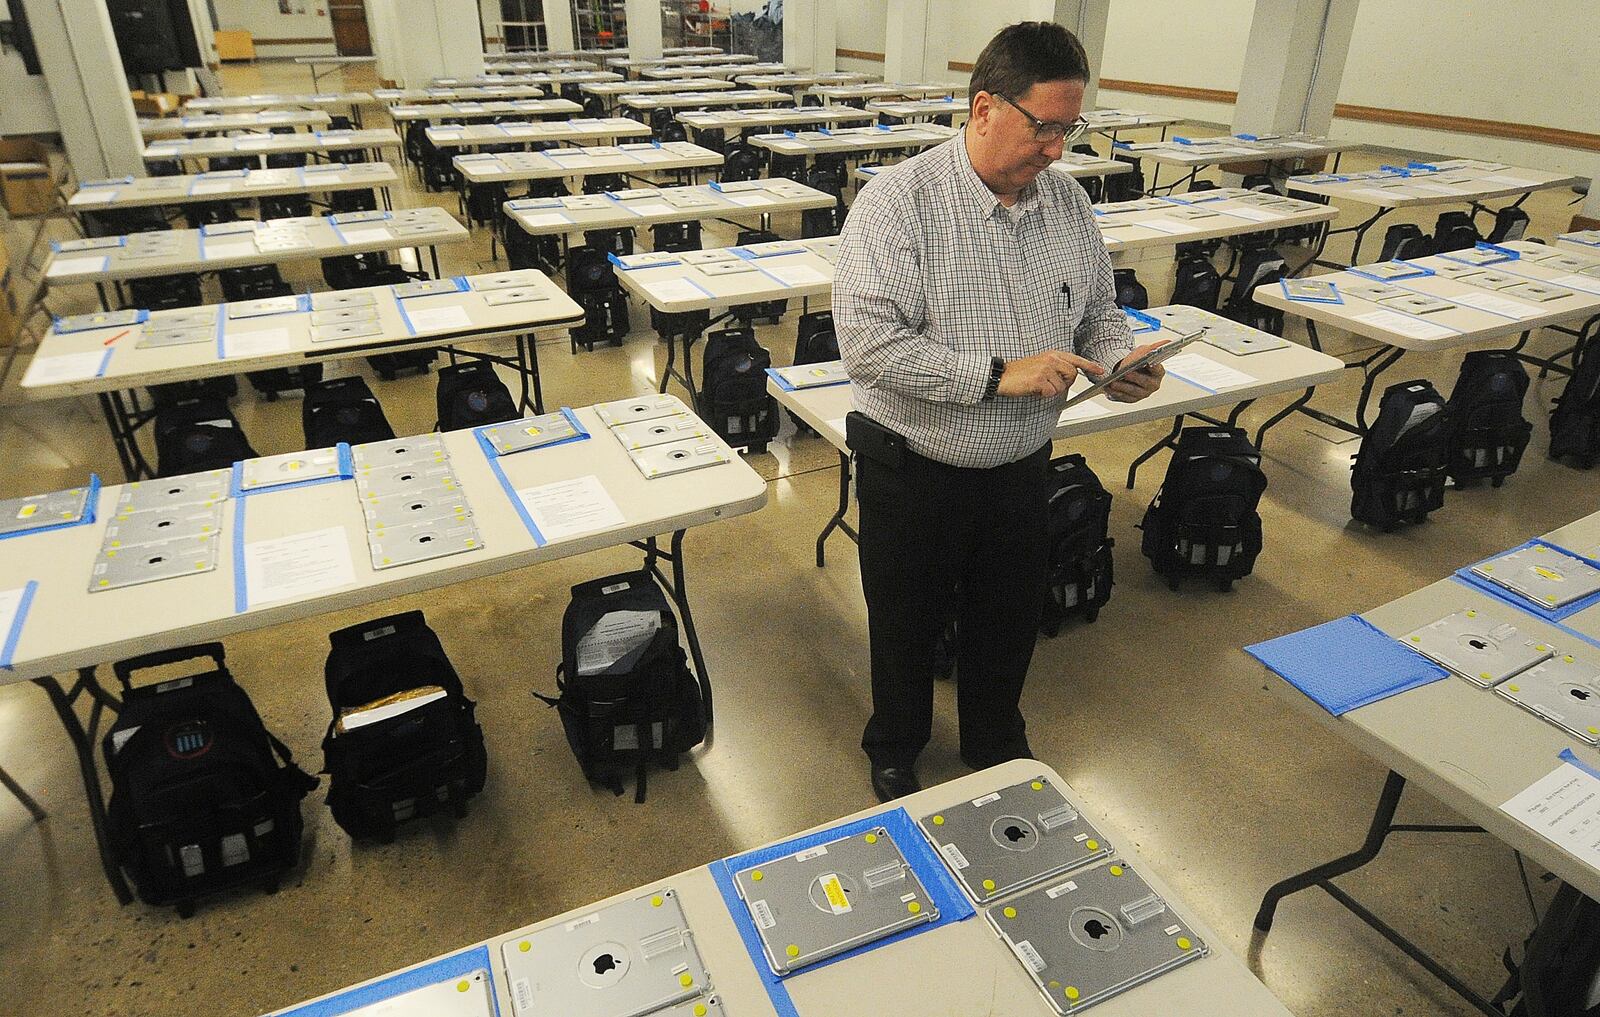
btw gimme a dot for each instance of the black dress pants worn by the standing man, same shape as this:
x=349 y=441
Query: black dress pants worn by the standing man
x=942 y=541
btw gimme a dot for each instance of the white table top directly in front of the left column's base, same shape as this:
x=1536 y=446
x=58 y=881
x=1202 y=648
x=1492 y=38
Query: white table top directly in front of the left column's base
x=231 y=185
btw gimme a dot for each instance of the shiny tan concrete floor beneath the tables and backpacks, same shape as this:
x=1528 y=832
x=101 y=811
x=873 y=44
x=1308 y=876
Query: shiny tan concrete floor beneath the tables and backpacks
x=1153 y=714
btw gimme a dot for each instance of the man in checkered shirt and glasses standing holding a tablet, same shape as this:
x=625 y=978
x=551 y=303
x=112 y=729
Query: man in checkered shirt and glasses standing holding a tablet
x=970 y=293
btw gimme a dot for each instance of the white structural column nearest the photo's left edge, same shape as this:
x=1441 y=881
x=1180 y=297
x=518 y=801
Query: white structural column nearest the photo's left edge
x=82 y=66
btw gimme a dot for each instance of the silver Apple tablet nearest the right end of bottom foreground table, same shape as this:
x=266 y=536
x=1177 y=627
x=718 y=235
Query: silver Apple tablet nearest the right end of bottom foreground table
x=1095 y=936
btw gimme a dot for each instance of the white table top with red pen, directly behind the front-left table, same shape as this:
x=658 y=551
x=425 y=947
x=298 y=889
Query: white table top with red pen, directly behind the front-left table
x=132 y=367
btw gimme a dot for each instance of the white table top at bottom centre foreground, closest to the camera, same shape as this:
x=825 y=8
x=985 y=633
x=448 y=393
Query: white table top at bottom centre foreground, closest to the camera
x=961 y=968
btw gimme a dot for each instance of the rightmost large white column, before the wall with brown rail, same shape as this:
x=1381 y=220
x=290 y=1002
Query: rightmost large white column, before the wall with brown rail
x=1294 y=65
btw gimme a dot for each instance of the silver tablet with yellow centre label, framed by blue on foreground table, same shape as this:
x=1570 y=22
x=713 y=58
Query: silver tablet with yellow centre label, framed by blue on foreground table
x=834 y=898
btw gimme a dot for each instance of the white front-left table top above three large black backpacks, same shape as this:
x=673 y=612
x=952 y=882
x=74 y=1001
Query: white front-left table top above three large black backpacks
x=70 y=628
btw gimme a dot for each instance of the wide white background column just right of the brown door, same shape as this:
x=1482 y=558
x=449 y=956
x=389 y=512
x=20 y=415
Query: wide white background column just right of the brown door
x=420 y=41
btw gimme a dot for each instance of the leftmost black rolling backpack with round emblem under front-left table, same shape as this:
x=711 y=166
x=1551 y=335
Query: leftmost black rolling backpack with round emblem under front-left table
x=202 y=797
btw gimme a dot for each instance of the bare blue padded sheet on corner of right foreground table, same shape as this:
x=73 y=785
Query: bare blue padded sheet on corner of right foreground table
x=1346 y=664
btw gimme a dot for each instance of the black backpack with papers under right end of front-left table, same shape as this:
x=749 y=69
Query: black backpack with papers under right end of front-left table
x=606 y=703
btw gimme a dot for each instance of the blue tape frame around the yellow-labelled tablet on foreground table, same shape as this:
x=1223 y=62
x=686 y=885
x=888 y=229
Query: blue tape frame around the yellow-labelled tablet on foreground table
x=919 y=855
